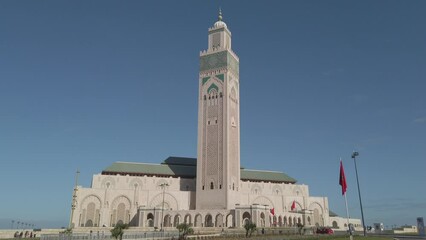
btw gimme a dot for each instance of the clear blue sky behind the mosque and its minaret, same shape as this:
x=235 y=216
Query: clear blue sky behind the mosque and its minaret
x=86 y=83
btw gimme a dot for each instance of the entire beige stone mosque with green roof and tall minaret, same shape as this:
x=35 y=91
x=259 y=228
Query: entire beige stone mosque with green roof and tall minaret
x=212 y=190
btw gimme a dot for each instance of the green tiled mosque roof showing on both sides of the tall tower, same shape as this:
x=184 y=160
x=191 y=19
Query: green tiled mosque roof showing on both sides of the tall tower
x=187 y=168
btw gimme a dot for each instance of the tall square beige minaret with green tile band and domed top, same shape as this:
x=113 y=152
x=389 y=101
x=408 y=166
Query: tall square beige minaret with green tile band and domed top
x=218 y=160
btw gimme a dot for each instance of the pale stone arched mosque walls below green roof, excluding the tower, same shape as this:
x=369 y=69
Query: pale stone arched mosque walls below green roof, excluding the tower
x=138 y=200
